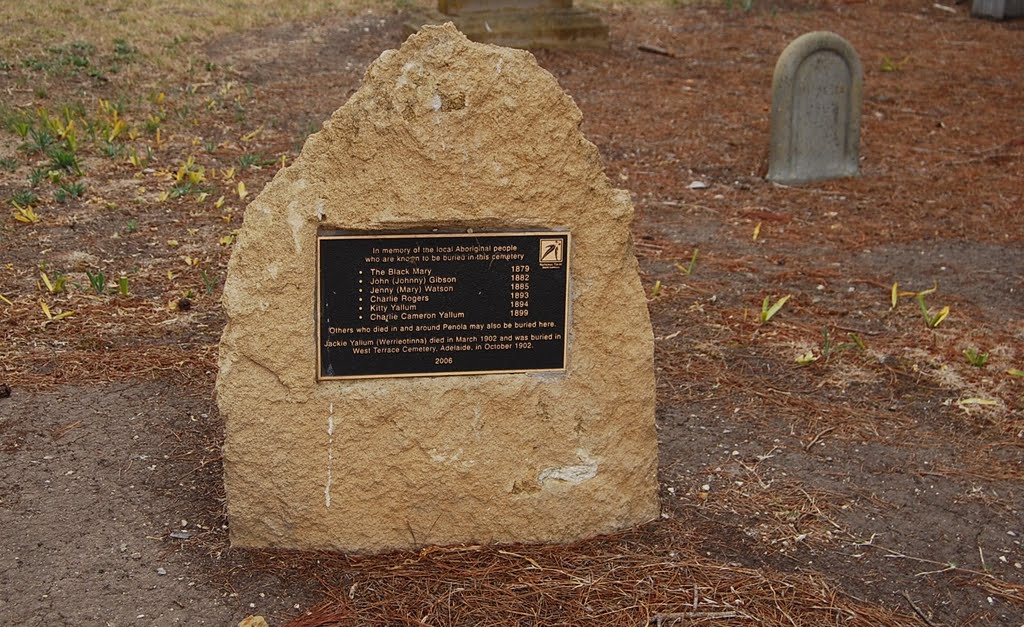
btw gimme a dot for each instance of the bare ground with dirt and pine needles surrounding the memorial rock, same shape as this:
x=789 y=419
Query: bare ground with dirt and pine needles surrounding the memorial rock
x=843 y=464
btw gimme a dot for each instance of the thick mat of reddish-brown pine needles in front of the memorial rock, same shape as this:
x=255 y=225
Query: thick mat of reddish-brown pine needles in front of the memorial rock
x=653 y=576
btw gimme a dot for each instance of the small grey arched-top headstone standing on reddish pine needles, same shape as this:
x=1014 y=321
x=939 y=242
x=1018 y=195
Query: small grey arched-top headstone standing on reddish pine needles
x=816 y=111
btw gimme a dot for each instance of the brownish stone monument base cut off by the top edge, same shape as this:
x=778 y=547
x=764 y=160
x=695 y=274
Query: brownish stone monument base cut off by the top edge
x=521 y=24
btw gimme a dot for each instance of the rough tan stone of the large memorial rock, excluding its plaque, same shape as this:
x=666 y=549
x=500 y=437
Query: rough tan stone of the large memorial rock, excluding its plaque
x=448 y=135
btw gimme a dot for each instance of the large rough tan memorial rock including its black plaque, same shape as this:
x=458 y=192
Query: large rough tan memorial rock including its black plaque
x=437 y=331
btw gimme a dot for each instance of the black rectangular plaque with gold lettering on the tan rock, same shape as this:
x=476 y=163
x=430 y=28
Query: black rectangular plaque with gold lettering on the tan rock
x=392 y=306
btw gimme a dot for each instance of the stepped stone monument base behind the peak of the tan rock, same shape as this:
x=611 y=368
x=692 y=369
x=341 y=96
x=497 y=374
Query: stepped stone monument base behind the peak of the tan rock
x=560 y=28
